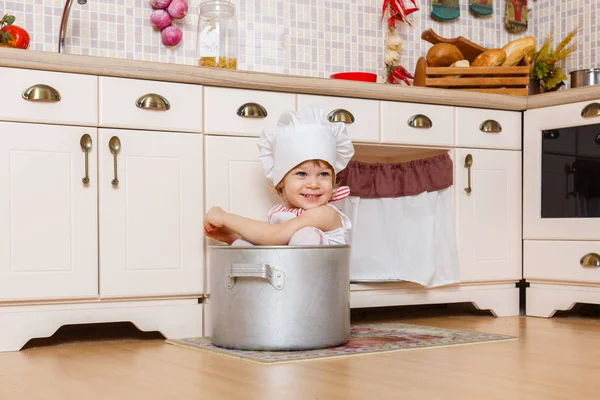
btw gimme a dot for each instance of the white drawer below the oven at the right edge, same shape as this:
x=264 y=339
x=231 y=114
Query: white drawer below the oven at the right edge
x=559 y=261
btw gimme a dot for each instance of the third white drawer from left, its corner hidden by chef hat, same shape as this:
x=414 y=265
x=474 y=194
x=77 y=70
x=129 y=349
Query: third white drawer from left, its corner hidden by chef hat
x=222 y=105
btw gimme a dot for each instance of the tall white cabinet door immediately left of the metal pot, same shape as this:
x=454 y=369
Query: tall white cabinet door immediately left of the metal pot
x=151 y=221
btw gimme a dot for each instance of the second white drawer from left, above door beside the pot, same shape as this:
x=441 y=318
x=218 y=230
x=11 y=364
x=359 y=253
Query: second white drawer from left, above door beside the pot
x=142 y=104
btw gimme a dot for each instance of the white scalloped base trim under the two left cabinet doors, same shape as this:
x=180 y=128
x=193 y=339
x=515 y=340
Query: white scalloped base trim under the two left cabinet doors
x=172 y=318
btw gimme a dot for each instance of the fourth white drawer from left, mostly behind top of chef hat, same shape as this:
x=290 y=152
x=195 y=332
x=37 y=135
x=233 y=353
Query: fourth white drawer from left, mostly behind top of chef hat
x=365 y=127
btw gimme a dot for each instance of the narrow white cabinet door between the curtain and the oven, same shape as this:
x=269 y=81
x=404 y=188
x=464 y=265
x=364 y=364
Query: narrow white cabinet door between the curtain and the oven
x=488 y=219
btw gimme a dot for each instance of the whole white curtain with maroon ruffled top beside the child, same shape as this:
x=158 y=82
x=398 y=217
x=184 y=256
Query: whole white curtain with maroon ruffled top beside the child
x=403 y=222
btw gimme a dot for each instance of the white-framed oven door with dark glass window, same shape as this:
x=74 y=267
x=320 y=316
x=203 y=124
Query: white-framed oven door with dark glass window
x=561 y=173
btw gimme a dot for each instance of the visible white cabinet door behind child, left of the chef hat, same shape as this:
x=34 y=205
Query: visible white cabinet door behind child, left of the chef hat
x=235 y=179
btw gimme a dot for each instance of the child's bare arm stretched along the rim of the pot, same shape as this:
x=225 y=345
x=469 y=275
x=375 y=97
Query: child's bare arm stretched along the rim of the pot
x=266 y=234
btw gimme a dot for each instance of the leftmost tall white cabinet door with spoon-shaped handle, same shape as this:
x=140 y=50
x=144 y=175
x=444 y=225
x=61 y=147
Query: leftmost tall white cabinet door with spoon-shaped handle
x=48 y=216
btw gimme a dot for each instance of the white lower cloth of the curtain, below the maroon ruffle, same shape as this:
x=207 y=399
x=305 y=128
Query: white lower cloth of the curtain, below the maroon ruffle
x=409 y=238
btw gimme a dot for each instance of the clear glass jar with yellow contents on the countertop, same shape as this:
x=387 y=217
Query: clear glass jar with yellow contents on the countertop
x=217 y=34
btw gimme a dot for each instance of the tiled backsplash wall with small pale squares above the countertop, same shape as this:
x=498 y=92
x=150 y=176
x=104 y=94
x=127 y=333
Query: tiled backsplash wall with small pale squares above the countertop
x=300 y=37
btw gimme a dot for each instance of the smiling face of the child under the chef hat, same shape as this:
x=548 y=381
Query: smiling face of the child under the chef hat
x=309 y=185
